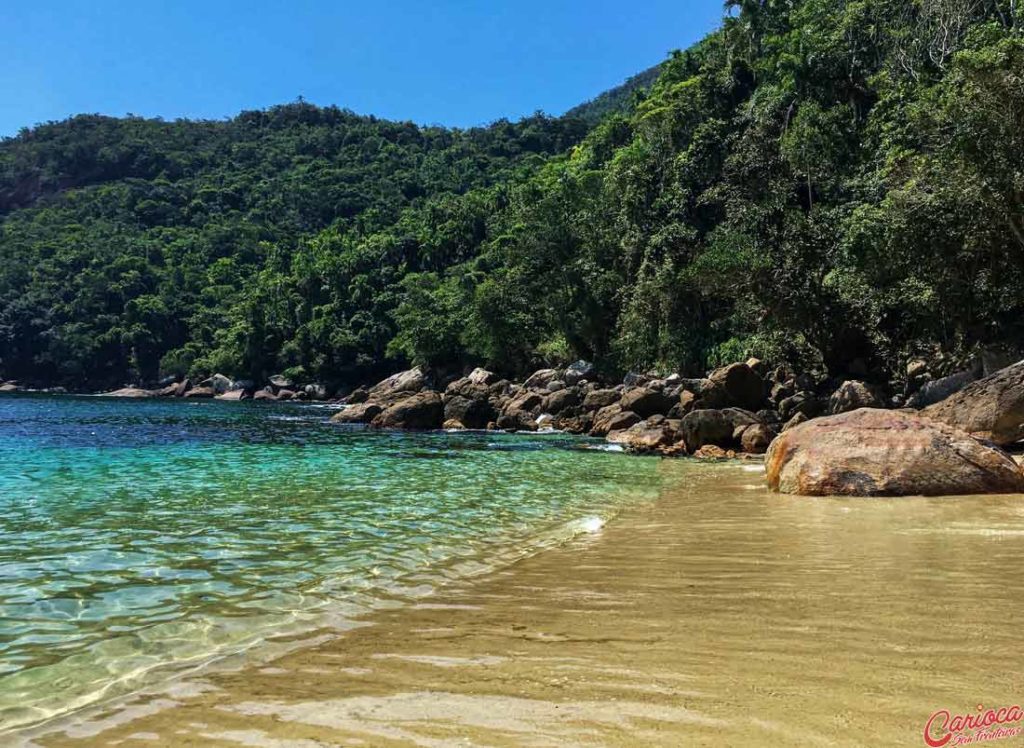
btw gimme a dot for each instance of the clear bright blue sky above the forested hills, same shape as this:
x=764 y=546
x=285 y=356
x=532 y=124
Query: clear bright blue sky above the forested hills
x=432 y=62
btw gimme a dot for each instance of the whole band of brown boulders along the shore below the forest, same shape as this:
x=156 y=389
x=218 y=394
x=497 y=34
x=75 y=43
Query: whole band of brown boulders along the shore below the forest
x=940 y=436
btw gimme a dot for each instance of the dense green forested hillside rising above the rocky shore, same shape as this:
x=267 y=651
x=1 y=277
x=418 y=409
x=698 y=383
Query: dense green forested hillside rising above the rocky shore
x=835 y=184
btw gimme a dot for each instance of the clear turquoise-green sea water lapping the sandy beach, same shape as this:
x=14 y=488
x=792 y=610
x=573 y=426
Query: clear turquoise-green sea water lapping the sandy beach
x=142 y=537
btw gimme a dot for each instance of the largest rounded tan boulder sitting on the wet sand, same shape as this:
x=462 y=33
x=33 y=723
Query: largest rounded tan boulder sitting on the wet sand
x=872 y=452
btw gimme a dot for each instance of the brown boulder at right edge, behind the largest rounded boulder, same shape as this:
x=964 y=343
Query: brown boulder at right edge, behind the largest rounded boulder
x=992 y=408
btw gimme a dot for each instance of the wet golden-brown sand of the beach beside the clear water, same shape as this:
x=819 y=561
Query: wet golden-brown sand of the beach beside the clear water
x=717 y=615
